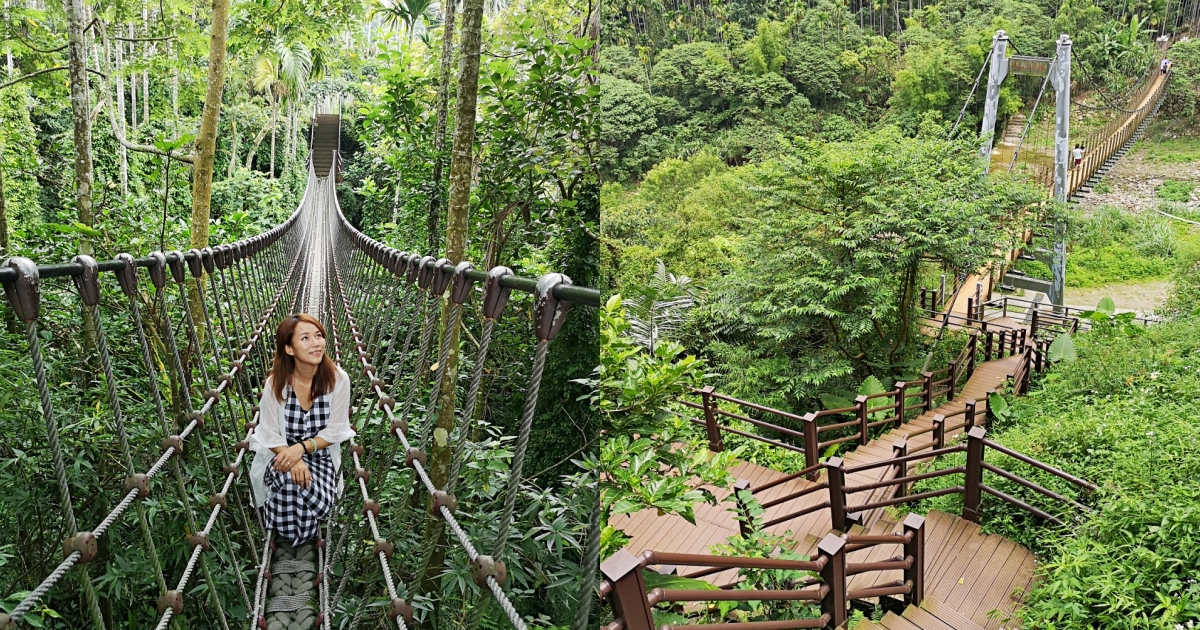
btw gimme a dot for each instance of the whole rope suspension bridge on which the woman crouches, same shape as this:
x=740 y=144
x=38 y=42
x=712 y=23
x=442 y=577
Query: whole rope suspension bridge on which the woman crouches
x=219 y=341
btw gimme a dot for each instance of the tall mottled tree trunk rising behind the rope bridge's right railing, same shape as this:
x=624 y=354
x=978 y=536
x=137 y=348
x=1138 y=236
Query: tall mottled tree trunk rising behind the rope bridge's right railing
x=461 y=166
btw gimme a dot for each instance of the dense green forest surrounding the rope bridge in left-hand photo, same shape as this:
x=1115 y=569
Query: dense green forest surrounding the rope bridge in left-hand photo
x=199 y=119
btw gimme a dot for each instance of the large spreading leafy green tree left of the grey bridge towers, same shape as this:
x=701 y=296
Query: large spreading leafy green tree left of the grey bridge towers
x=841 y=231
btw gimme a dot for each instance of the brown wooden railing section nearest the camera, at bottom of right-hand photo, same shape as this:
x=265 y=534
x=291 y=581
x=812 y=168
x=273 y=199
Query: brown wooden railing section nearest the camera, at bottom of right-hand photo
x=625 y=583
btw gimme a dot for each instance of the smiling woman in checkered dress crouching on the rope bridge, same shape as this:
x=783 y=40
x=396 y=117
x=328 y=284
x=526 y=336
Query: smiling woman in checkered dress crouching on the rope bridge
x=304 y=417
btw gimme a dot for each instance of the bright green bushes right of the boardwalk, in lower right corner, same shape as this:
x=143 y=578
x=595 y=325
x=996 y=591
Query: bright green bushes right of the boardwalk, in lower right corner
x=1114 y=418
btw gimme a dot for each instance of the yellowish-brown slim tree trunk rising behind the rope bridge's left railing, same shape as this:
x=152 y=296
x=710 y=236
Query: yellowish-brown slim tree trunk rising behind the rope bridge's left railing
x=207 y=142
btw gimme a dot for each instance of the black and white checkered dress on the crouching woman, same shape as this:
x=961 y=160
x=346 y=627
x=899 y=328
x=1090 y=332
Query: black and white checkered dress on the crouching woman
x=292 y=512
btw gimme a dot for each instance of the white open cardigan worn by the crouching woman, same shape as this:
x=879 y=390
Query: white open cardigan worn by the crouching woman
x=268 y=435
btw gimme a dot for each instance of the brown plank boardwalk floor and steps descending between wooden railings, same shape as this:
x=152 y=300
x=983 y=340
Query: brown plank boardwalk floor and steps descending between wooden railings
x=965 y=569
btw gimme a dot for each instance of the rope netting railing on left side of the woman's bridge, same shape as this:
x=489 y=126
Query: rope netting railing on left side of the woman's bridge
x=231 y=272
